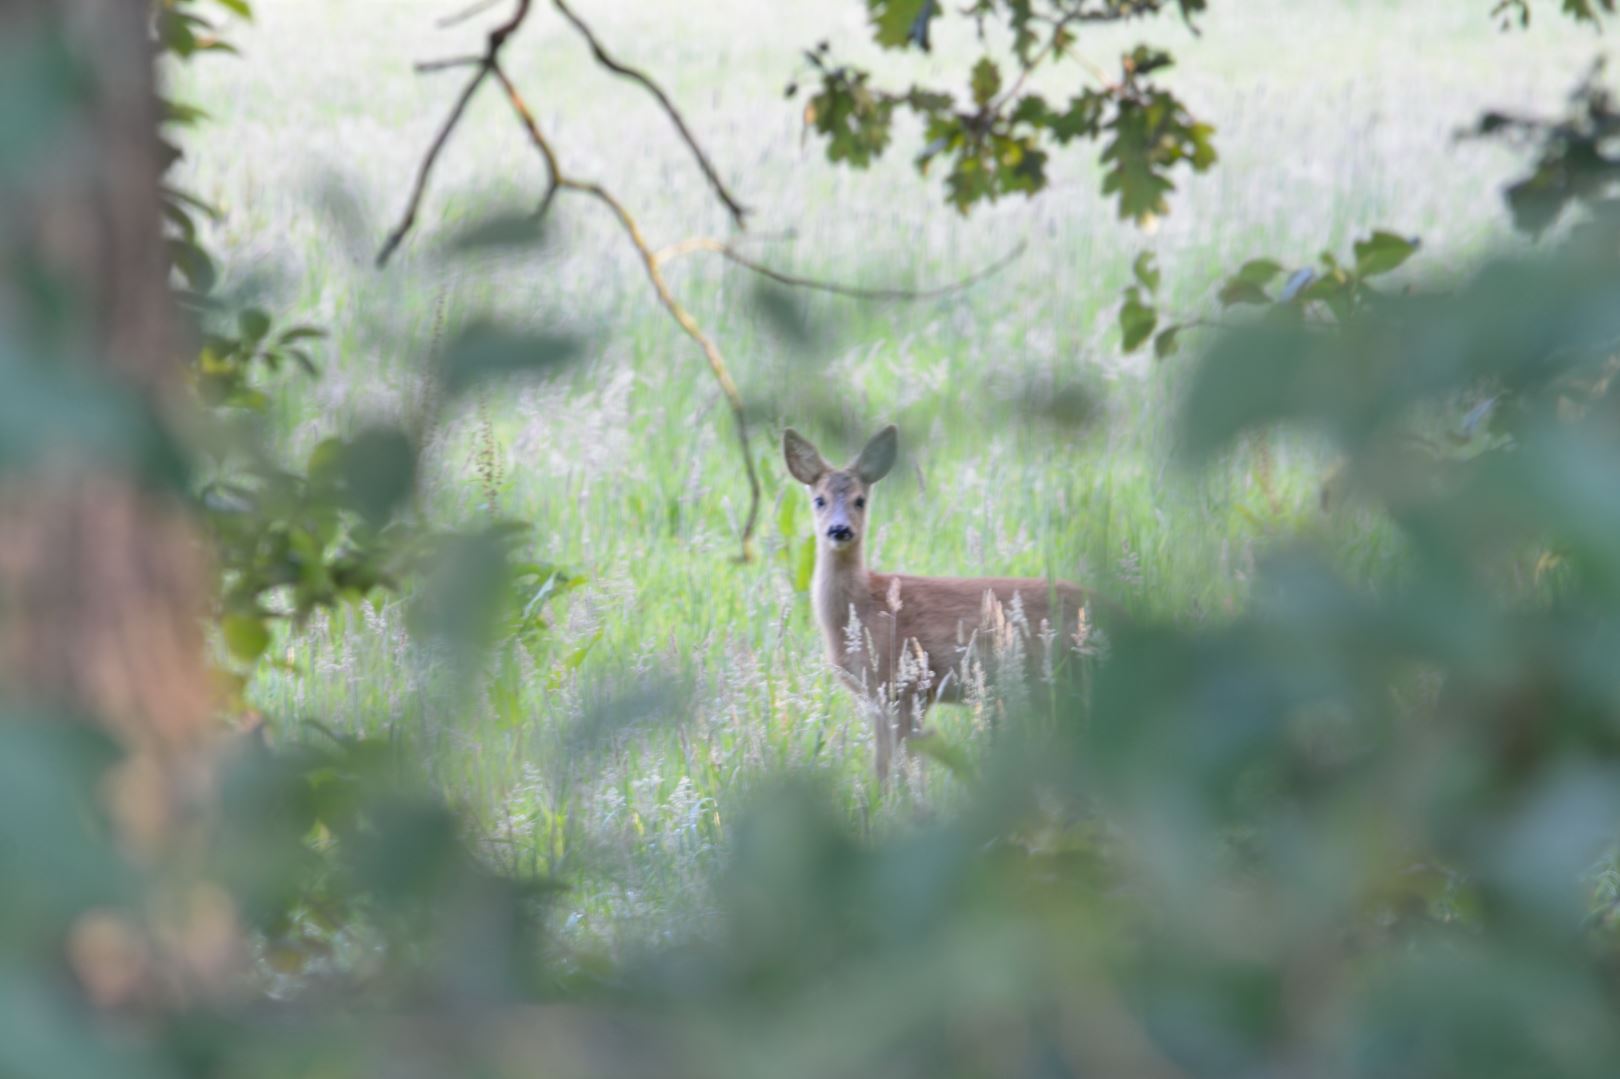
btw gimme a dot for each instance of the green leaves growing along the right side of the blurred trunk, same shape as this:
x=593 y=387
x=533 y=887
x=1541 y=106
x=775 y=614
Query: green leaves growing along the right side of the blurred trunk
x=291 y=540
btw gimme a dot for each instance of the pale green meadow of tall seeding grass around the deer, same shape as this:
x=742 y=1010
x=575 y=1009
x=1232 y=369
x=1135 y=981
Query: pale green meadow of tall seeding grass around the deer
x=626 y=467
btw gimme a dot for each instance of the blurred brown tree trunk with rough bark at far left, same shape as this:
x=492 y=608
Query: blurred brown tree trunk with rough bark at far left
x=103 y=579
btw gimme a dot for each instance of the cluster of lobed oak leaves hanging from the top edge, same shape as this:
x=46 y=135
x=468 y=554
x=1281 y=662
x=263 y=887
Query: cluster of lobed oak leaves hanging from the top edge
x=997 y=140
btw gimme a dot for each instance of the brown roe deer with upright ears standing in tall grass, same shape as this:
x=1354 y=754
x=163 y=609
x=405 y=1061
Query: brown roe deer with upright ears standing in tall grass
x=903 y=642
